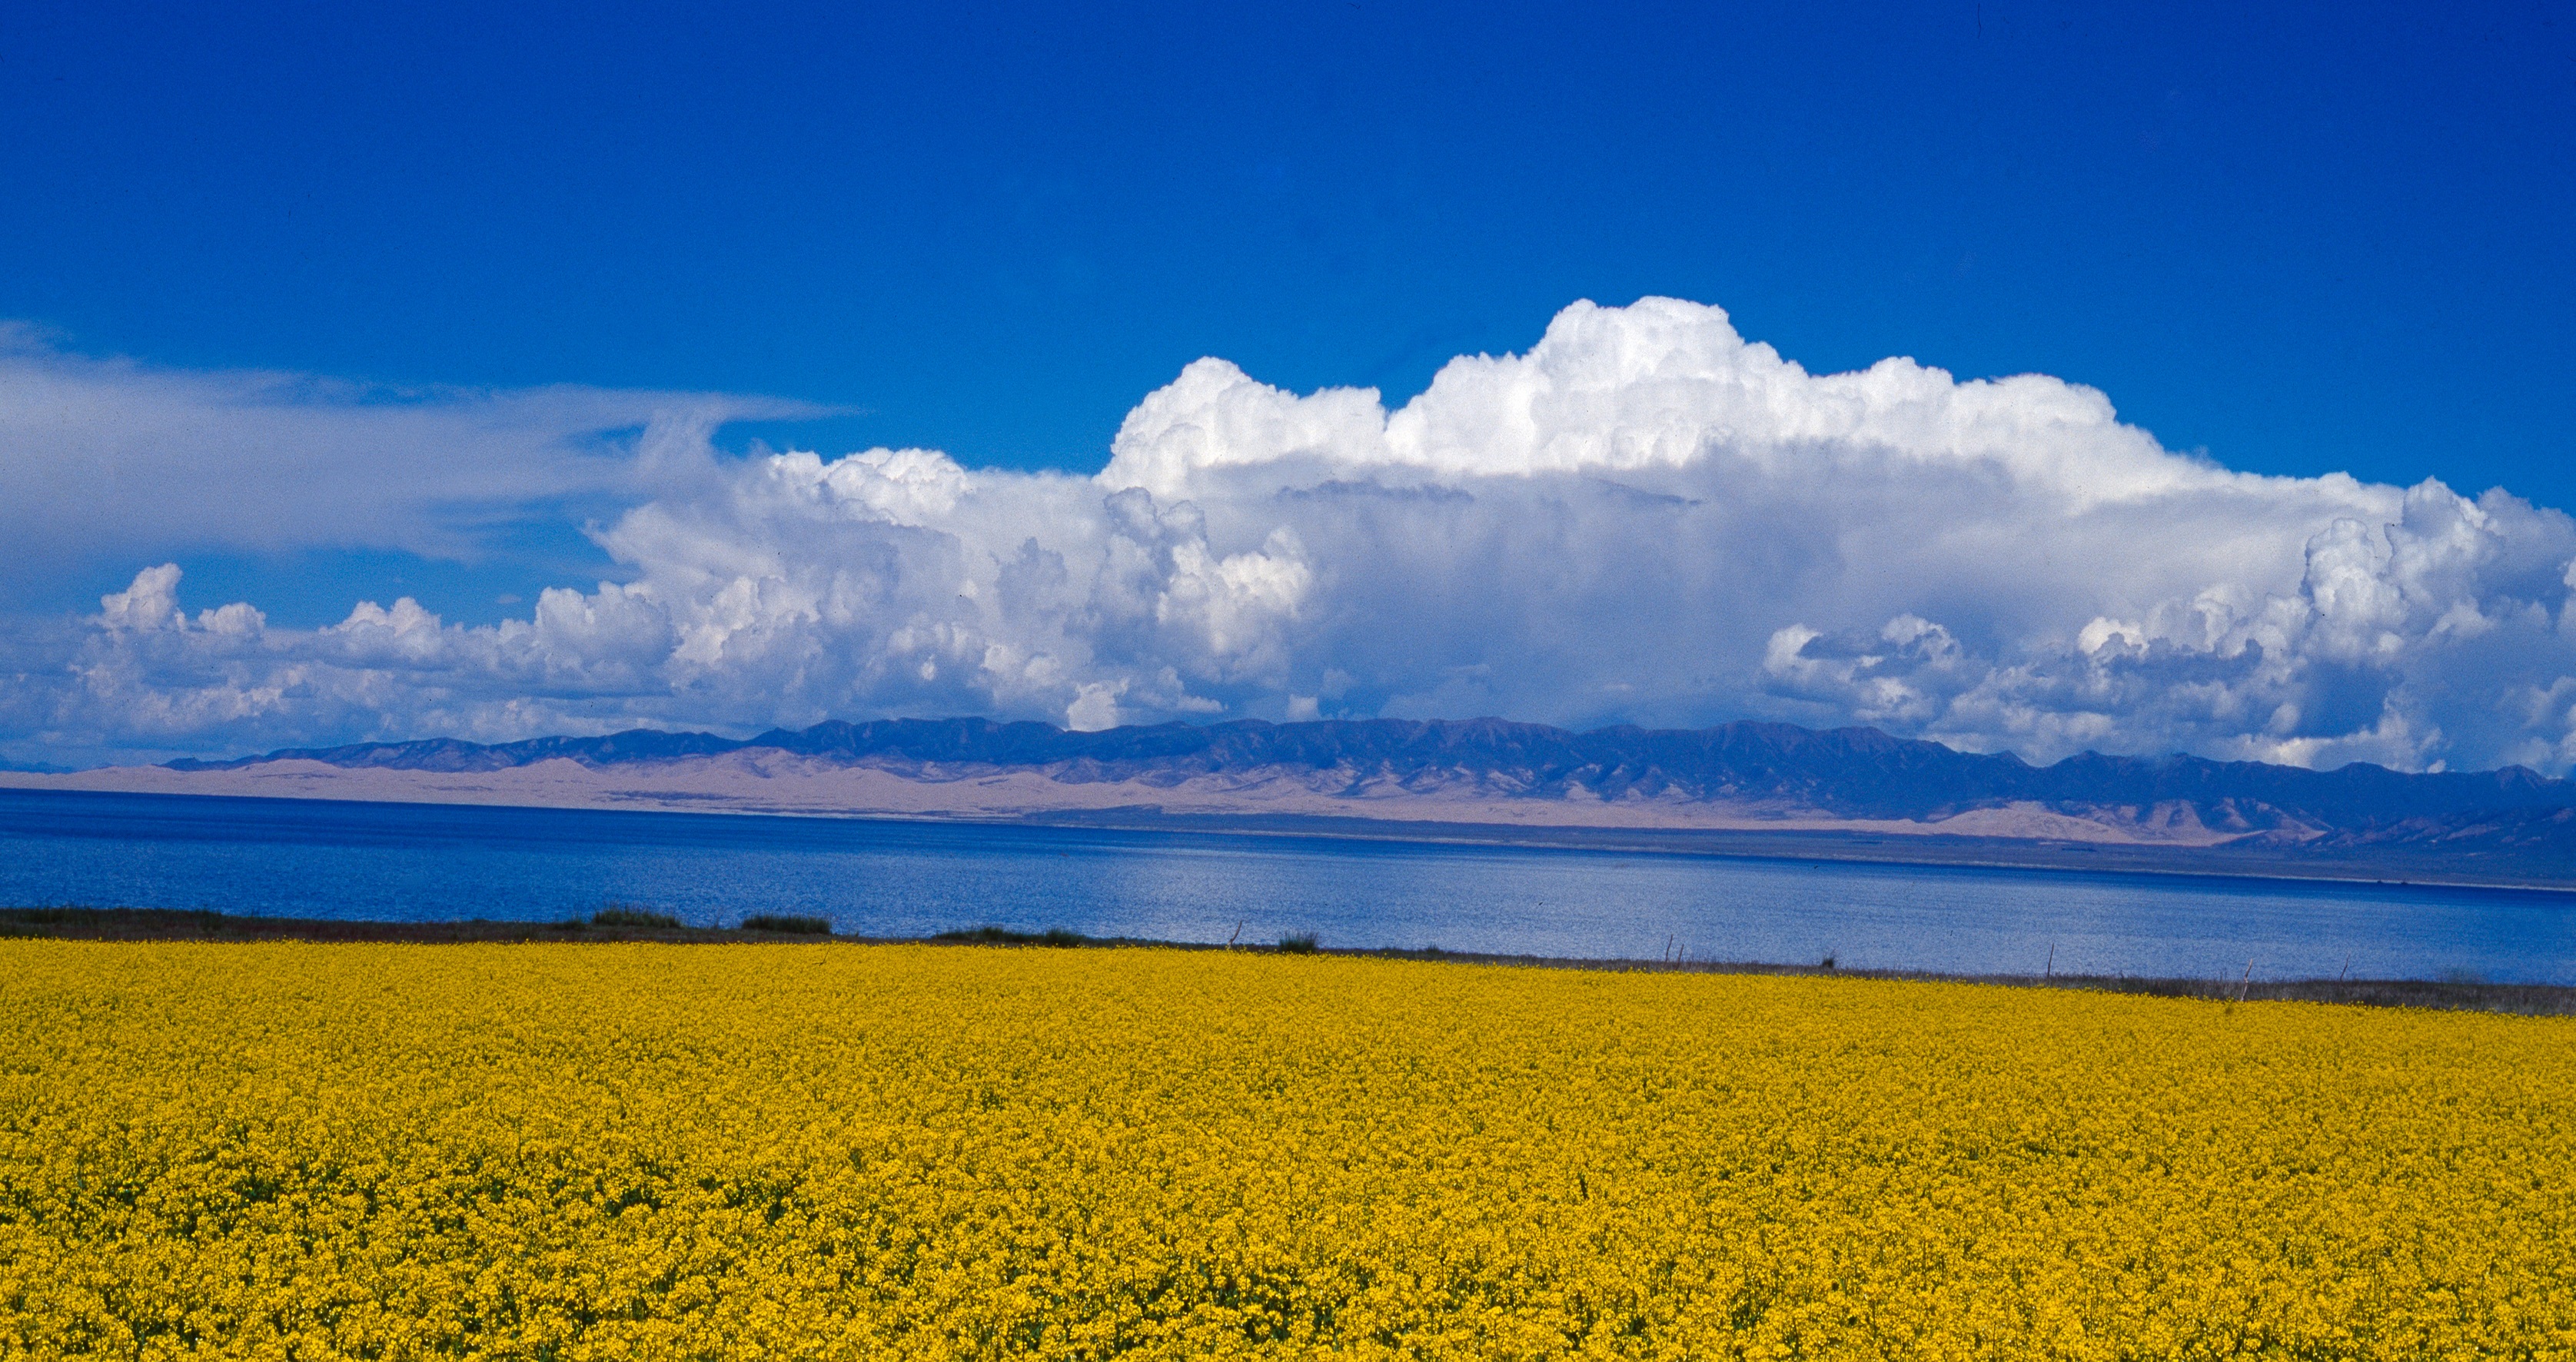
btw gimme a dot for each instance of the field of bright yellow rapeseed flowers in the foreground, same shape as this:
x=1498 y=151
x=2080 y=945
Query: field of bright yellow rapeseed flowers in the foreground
x=944 y=1152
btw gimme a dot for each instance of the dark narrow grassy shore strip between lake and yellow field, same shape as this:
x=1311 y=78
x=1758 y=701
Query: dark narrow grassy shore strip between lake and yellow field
x=620 y=923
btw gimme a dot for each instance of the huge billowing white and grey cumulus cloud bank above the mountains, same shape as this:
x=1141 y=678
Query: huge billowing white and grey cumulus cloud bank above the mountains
x=1642 y=519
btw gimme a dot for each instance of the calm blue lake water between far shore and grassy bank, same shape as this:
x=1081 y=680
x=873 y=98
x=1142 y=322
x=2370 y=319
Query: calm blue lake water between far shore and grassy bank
x=890 y=879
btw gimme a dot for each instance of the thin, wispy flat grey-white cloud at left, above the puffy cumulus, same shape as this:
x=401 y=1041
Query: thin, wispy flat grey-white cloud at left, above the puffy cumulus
x=115 y=460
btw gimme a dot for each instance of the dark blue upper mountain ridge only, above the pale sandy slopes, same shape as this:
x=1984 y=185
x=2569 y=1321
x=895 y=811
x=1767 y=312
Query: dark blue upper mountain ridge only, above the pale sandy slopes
x=1851 y=774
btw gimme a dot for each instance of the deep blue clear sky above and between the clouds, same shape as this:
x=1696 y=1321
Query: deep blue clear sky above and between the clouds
x=2304 y=241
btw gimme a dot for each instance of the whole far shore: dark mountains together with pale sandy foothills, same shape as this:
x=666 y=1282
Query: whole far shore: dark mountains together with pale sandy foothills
x=1771 y=787
